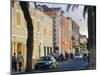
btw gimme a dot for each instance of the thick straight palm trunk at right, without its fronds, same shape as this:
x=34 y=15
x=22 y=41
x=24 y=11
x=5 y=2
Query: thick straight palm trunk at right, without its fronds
x=92 y=35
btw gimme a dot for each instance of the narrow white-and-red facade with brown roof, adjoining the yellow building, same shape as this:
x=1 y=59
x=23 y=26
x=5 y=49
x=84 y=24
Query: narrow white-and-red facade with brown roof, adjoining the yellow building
x=55 y=14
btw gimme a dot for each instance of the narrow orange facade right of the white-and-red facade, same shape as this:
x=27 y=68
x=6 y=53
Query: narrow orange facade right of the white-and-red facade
x=64 y=35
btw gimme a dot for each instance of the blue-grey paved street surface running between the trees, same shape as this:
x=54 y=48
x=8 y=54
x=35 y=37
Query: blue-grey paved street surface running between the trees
x=69 y=65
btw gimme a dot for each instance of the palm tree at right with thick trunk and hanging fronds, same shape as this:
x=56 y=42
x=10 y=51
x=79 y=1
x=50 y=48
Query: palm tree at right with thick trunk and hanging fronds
x=91 y=21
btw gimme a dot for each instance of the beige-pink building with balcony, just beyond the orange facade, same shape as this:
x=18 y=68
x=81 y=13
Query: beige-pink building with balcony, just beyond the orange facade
x=73 y=36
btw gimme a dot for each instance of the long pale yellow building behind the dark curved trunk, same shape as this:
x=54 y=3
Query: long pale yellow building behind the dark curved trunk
x=43 y=35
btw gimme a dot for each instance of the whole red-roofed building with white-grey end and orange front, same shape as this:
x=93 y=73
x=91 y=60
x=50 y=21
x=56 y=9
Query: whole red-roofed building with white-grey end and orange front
x=62 y=30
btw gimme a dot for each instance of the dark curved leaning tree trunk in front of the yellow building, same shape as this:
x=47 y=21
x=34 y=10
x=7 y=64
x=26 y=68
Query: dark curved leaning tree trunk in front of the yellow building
x=24 y=7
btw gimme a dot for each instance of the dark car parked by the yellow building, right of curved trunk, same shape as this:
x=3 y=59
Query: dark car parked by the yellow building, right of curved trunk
x=46 y=62
